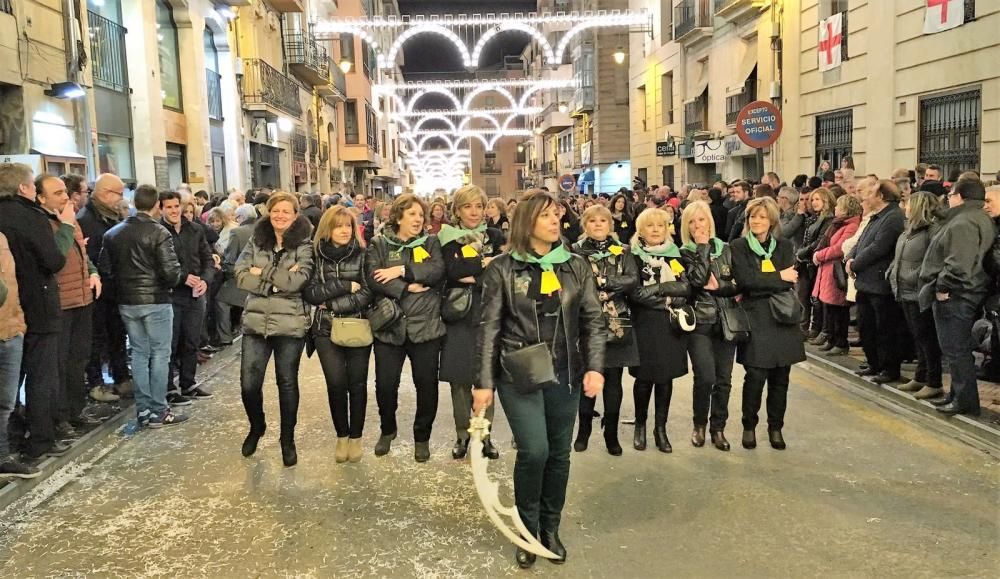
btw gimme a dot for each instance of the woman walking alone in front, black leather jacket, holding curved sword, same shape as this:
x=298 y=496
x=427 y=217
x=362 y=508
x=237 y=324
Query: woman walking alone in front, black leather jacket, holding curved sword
x=540 y=293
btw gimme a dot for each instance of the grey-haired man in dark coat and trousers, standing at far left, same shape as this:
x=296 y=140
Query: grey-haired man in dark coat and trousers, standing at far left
x=39 y=255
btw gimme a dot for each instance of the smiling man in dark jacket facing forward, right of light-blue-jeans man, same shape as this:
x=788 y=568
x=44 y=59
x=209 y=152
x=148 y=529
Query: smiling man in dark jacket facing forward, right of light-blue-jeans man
x=197 y=270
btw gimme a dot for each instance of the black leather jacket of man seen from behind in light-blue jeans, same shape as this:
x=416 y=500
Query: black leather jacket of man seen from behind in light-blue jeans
x=138 y=259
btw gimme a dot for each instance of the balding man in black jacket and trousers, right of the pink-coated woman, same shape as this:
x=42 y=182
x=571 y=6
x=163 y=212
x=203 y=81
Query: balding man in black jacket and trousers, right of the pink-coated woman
x=879 y=316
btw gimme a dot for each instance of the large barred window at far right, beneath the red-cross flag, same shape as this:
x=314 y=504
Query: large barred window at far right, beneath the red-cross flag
x=951 y=129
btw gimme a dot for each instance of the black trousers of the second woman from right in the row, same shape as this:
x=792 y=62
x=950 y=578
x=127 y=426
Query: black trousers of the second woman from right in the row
x=712 y=361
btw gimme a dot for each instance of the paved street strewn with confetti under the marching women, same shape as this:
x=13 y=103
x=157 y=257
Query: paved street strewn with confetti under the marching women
x=860 y=492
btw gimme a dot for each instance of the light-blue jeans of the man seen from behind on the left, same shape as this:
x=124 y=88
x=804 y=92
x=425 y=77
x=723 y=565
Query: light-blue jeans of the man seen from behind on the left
x=150 y=330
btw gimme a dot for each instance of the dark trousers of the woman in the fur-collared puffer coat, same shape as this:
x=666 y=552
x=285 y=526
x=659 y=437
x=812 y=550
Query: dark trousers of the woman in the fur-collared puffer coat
x=257 y=352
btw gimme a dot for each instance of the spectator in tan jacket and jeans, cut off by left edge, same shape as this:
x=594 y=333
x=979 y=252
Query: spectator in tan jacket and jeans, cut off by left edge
x=12 y=328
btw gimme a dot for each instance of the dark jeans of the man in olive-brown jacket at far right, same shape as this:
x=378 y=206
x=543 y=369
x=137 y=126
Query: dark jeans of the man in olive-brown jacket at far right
x=954 y=319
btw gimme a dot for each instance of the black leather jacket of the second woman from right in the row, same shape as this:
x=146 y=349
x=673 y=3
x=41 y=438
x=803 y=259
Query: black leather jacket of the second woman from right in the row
x=699 y=265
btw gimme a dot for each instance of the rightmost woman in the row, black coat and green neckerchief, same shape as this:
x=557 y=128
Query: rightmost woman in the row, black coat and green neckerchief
x=765 y=274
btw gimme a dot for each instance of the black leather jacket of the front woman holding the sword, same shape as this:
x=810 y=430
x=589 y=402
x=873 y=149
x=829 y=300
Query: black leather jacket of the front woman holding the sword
x=510 y=319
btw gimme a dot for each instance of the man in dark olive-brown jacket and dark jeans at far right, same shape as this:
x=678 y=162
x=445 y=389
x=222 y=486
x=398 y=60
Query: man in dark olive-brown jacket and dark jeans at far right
x=955 y=283
